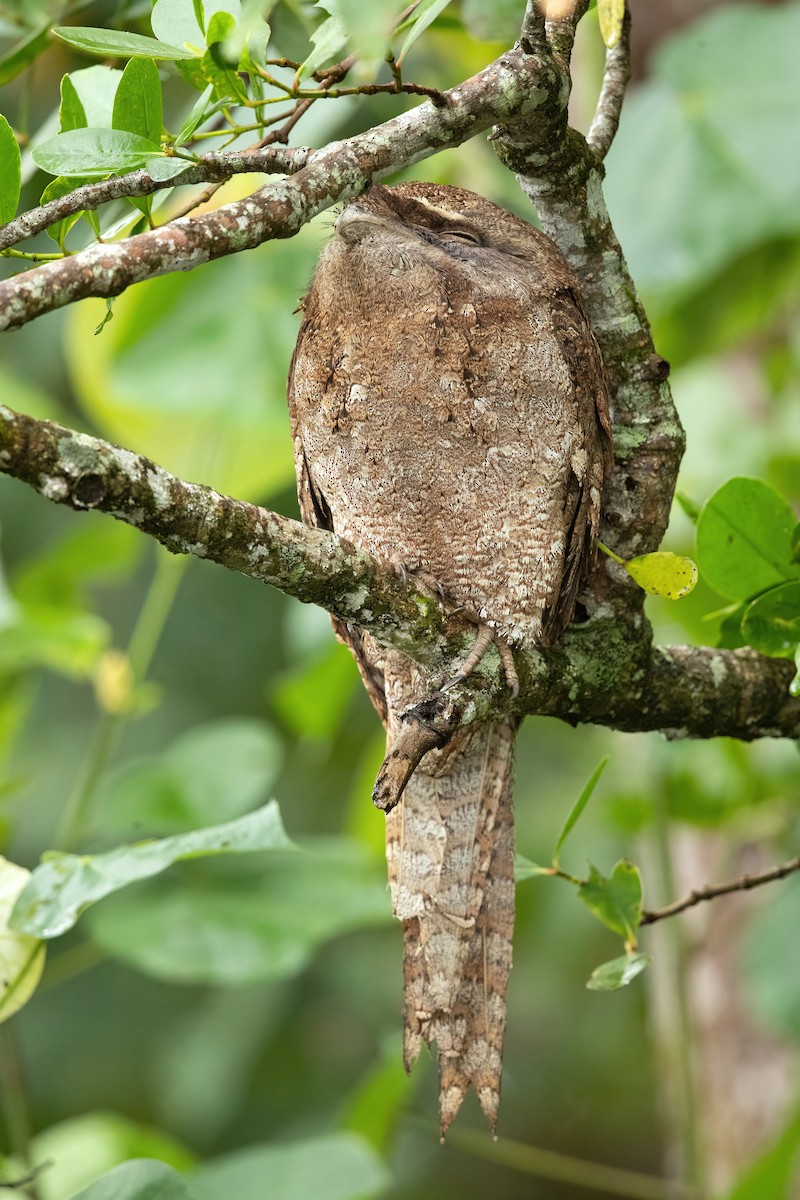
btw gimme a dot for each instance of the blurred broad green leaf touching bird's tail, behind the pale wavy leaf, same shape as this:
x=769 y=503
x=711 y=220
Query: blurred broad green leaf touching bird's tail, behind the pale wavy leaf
x=209 y=927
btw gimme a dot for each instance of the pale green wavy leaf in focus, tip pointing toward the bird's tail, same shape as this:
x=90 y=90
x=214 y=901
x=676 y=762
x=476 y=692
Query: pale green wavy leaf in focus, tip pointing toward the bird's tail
x=64 y=886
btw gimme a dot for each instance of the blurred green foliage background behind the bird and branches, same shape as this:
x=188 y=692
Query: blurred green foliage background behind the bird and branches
x=243 y=1015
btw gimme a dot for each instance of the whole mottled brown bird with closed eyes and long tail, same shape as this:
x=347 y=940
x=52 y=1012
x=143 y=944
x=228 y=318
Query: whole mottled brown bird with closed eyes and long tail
x=450 y=416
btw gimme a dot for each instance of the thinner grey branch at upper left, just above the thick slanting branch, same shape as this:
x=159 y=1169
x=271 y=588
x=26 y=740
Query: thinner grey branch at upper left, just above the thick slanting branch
x=212 y=169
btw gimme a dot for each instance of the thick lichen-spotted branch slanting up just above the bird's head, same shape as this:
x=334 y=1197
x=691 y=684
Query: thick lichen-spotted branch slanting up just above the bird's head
x=514 y=85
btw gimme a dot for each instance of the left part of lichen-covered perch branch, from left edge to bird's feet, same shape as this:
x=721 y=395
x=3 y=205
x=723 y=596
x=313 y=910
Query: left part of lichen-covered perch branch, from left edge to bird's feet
x=190 y=519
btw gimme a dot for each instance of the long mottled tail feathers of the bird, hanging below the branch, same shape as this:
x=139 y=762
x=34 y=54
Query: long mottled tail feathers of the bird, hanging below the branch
x=450 y=851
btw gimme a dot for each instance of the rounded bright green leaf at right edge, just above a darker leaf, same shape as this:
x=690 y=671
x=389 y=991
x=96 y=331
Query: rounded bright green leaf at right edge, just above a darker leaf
x=744 y=539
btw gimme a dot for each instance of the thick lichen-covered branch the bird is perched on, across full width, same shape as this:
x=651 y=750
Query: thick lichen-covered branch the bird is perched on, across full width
x=603 y=671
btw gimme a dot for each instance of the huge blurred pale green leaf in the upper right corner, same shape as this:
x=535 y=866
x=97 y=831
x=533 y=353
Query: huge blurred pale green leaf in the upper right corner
x=707 y=137
